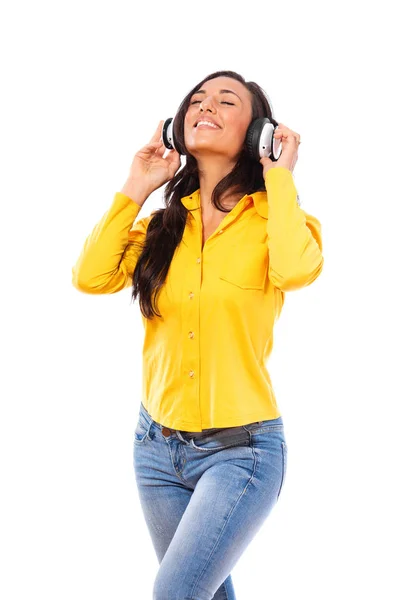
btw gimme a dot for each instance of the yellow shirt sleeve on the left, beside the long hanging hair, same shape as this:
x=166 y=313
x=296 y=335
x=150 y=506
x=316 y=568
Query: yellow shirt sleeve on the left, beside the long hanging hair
x=110 y=252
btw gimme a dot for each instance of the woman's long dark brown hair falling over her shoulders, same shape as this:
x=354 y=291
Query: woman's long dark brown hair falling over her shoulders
x=166 y=226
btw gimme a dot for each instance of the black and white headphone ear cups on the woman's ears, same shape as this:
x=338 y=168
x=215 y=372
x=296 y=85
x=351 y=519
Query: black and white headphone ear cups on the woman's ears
x=259 y=141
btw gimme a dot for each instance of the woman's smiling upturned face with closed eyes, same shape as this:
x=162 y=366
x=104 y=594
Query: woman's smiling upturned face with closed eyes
x=230 y=112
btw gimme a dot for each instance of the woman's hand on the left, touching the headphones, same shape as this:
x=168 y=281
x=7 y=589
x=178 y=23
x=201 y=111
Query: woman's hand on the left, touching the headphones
x=149 y=169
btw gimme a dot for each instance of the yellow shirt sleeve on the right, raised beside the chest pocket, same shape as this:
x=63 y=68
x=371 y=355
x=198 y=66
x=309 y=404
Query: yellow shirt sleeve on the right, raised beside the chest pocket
x=294 y=236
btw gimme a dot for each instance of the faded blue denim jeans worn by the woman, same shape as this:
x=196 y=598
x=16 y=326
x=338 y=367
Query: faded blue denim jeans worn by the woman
x=204 y=496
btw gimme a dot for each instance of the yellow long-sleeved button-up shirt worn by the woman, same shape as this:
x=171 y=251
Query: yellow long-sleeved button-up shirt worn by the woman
x=204 y=360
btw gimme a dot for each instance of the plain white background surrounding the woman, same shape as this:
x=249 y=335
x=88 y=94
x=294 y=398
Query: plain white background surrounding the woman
x=84 y=85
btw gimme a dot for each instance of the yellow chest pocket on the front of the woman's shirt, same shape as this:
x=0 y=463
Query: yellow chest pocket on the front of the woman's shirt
x=246 y=267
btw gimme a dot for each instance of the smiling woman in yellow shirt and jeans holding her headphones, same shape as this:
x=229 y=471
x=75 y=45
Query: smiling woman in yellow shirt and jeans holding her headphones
x=211 y=271
